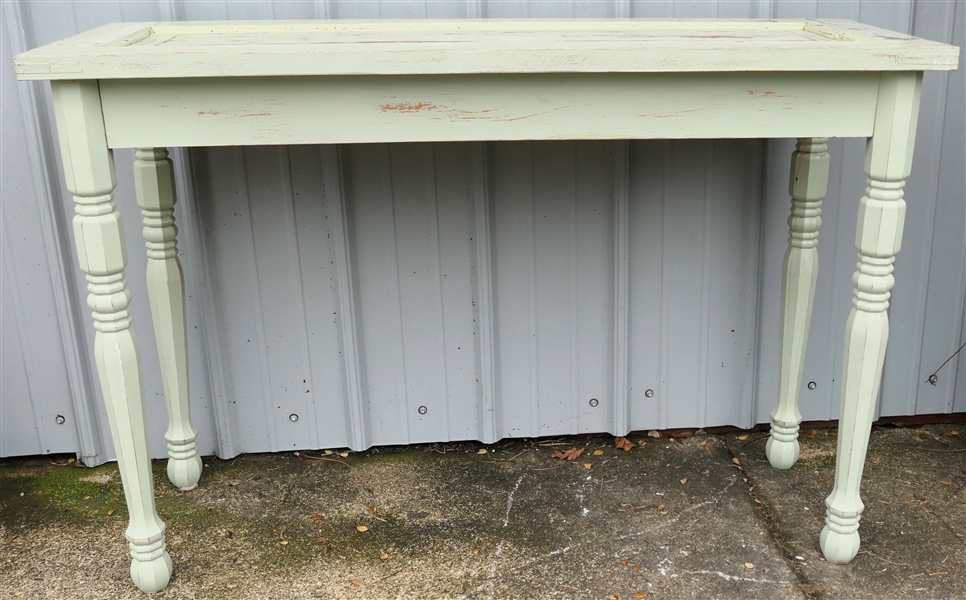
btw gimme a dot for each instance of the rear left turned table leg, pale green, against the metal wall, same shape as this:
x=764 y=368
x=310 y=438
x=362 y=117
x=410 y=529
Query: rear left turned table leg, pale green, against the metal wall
x=154 y=183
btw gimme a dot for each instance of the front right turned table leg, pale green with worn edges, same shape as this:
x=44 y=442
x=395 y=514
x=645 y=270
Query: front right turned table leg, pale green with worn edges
x=888 y=161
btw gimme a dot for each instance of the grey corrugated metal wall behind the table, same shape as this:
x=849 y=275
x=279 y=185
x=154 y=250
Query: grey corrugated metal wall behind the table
x=501 y=286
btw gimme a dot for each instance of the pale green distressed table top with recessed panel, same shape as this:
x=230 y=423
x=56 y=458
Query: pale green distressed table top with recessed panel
x=337 y=47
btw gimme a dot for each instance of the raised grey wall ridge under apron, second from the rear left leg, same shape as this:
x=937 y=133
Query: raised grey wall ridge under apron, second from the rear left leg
x=353 y=365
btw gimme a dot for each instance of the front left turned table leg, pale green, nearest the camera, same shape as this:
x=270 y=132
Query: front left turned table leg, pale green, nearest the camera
x=98 y=233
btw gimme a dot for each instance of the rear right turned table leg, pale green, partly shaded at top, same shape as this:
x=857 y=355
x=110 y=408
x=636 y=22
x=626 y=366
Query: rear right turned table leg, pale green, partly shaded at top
x=807 y=186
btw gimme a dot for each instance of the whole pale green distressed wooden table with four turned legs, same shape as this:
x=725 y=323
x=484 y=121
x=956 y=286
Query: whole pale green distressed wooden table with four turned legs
x=154 y=85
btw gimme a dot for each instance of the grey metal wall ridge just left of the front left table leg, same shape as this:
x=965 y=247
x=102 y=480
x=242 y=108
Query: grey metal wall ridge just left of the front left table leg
x=71 y=320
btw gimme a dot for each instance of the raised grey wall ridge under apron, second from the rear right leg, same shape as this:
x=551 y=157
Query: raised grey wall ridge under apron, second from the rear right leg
x=621 y=411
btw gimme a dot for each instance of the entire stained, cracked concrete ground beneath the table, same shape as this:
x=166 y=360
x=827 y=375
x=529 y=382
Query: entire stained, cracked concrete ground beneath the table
x=672 y=519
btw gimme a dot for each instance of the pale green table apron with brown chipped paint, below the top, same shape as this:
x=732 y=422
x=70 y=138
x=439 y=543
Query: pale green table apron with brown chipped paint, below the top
x=249 y=111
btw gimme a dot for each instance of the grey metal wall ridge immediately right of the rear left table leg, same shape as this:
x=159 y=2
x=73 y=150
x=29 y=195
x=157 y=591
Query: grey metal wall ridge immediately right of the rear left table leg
x=201 y=278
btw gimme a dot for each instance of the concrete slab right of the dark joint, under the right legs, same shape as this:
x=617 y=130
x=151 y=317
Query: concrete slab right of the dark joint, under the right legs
x=913 y=529
